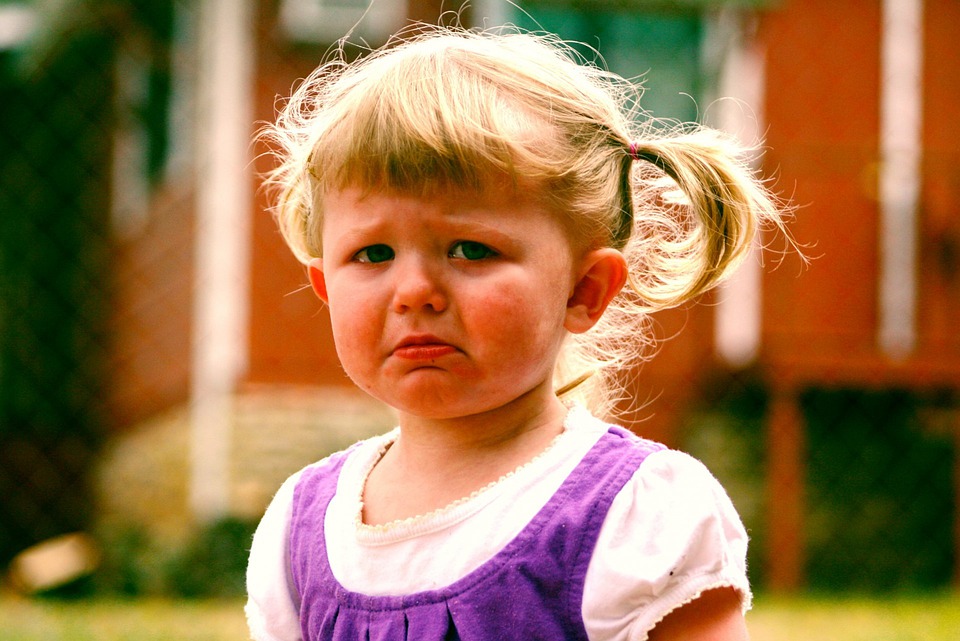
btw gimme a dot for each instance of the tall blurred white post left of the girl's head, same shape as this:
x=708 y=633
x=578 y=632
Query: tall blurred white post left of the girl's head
x=224 y=118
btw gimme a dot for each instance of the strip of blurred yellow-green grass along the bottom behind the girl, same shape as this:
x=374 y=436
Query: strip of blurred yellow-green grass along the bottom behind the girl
x=930 y=618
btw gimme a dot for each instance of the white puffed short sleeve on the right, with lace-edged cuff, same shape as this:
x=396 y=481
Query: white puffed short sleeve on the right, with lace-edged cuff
x=671 y=534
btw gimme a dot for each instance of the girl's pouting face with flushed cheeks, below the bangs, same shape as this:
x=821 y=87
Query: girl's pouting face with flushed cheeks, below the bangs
x=447 y=305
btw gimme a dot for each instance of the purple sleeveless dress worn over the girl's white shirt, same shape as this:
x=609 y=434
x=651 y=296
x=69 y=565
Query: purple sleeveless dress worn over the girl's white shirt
x=531 y=589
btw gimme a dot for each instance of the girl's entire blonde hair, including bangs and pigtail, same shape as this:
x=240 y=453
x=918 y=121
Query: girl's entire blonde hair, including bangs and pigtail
x=446 y=107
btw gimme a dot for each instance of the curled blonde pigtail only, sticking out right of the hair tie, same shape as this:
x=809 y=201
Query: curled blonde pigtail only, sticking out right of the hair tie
x=688 y=239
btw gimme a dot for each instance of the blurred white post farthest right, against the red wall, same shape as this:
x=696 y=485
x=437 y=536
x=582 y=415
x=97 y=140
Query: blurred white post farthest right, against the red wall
x=901 y=111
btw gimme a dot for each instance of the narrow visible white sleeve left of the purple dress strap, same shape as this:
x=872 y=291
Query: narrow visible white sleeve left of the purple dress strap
x=271 y=609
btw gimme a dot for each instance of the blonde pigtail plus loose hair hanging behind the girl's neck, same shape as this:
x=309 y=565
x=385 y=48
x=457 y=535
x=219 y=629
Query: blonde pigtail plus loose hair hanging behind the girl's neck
x=691 y=210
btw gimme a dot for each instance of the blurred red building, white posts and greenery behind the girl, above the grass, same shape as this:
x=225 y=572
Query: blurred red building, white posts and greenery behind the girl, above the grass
x=164 y=366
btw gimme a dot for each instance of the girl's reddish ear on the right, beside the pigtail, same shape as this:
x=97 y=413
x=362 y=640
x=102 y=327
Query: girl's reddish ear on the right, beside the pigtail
x=602 y=275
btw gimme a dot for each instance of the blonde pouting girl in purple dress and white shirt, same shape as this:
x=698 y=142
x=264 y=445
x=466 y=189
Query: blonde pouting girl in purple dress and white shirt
x=489 y=226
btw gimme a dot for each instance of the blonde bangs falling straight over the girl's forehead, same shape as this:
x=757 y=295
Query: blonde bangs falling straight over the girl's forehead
x=428 y=119
